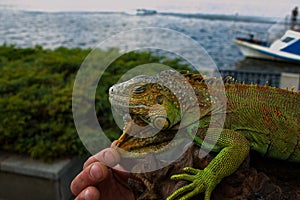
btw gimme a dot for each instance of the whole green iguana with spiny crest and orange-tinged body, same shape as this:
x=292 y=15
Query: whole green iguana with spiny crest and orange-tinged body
x=261 y=118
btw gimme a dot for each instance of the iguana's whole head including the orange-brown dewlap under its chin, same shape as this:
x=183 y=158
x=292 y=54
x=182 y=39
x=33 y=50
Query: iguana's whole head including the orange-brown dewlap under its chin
x=154 y=102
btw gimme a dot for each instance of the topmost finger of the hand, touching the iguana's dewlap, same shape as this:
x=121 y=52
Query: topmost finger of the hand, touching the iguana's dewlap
x=108 y=156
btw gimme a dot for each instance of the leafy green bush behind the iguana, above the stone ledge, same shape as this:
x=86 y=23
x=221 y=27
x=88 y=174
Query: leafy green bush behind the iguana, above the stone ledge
x=36 y=98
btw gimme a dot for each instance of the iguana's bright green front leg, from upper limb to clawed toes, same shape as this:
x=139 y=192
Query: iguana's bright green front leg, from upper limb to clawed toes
x=234 y=149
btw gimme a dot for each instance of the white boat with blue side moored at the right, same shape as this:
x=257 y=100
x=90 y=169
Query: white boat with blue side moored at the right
x=287 y=48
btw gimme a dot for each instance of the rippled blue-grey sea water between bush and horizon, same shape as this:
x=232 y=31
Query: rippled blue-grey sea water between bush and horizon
x=88 y=29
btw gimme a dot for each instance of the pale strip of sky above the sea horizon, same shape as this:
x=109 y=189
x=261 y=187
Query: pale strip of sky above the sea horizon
x=272 y=8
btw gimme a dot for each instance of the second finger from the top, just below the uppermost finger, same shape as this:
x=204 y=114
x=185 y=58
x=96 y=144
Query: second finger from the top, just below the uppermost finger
x=91 y=175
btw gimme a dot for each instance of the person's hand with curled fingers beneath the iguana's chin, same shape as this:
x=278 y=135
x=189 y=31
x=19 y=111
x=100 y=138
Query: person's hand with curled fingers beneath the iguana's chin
x=98 y=182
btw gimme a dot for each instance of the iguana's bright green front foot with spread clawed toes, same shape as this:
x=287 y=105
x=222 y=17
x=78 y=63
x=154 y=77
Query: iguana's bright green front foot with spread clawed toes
x=201 y=181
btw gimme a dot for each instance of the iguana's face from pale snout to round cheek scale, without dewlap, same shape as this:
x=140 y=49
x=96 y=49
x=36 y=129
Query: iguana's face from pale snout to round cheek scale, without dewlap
x=149 y=102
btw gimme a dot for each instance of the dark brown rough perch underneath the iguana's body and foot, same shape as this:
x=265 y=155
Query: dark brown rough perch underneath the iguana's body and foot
x=257 y=178
